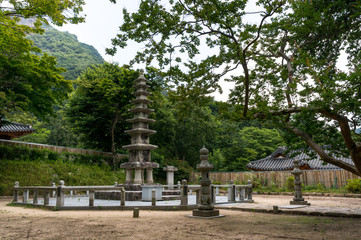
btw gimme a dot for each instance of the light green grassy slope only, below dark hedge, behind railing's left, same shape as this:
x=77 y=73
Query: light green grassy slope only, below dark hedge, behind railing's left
x=41 y=173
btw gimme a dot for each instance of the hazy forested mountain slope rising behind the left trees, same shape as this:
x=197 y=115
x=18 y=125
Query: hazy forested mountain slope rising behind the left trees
x=70 y=54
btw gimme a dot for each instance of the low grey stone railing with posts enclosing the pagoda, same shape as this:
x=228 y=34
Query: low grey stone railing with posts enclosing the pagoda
x=236 y=193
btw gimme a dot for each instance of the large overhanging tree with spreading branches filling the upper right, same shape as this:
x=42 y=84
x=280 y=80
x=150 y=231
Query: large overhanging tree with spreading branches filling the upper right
x=284 y=65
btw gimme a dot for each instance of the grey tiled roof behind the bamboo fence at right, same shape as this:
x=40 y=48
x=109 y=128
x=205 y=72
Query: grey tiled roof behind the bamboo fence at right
x=279 y=161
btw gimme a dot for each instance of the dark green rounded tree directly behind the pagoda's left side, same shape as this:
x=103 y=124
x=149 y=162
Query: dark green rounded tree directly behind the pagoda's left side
x=98 y=108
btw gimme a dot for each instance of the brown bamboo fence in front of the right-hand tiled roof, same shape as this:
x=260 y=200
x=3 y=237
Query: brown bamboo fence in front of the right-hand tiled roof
x=328 y=178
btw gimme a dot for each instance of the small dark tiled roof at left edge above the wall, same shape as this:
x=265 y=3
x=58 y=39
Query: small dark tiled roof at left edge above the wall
x=9 y=130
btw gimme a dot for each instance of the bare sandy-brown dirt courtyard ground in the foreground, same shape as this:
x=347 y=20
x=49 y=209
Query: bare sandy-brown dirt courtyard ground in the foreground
x=31 y=223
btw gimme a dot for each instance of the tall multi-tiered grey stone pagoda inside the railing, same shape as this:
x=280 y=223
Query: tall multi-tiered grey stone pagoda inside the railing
x=139 y=150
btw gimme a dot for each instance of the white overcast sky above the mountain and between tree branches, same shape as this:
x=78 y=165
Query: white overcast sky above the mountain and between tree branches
x=103 y=19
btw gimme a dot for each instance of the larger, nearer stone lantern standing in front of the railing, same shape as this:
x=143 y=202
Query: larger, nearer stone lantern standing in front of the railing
x=205 y=208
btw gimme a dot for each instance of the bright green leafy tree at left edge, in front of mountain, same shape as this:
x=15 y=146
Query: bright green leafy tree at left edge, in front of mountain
x=29 y=82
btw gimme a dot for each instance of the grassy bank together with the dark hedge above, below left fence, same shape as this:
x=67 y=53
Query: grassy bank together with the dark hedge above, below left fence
x=40 y=167
